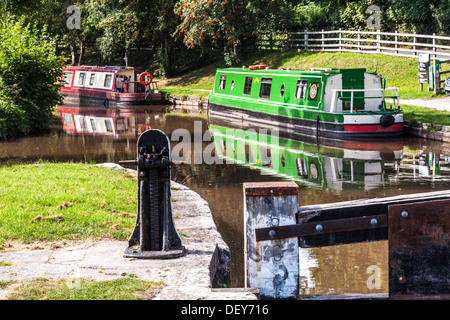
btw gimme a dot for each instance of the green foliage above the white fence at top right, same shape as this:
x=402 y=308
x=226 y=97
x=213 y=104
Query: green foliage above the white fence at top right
x=421 y=16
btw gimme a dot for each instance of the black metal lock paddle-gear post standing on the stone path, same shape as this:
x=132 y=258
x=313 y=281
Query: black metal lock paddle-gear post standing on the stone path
x=154 y=235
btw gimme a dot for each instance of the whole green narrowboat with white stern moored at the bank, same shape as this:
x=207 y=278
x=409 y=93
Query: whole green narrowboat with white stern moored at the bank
x=330 y=103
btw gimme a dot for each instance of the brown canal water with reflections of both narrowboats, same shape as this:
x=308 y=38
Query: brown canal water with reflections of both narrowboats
x=217 y=168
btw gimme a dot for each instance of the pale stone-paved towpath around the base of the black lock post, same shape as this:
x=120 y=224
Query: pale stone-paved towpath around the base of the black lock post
x=186 y=278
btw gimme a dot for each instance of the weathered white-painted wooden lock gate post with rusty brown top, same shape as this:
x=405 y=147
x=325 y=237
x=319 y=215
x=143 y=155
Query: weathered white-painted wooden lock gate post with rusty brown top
x=272 y=266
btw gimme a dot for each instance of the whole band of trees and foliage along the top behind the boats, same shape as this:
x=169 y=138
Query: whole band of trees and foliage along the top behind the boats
x=194 y=32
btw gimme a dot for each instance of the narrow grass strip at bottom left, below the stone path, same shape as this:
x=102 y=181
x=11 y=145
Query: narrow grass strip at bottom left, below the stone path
x=84 y=289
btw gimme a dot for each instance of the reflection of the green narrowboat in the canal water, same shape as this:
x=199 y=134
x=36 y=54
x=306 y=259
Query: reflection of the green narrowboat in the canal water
x=334 y=165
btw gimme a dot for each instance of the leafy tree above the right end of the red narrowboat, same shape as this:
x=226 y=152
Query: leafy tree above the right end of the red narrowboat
x=121 y=24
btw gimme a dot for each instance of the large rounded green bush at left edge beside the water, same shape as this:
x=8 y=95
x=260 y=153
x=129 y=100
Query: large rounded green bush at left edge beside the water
x=29 y=78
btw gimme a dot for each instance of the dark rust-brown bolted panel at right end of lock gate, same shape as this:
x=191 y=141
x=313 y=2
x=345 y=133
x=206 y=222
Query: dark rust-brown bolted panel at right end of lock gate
x=419 y=250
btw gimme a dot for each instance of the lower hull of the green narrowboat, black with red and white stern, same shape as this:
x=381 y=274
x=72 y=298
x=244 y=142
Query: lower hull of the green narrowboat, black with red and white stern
x=345 y=126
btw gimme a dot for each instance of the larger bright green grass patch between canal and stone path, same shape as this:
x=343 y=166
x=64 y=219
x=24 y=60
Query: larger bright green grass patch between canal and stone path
x=65 y=201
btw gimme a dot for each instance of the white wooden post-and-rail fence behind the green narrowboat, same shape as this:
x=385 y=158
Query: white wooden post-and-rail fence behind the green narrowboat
x=398 y=44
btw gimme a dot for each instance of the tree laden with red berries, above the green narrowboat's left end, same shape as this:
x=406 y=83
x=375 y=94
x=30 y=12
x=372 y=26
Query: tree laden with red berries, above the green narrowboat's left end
x=228 y=24
